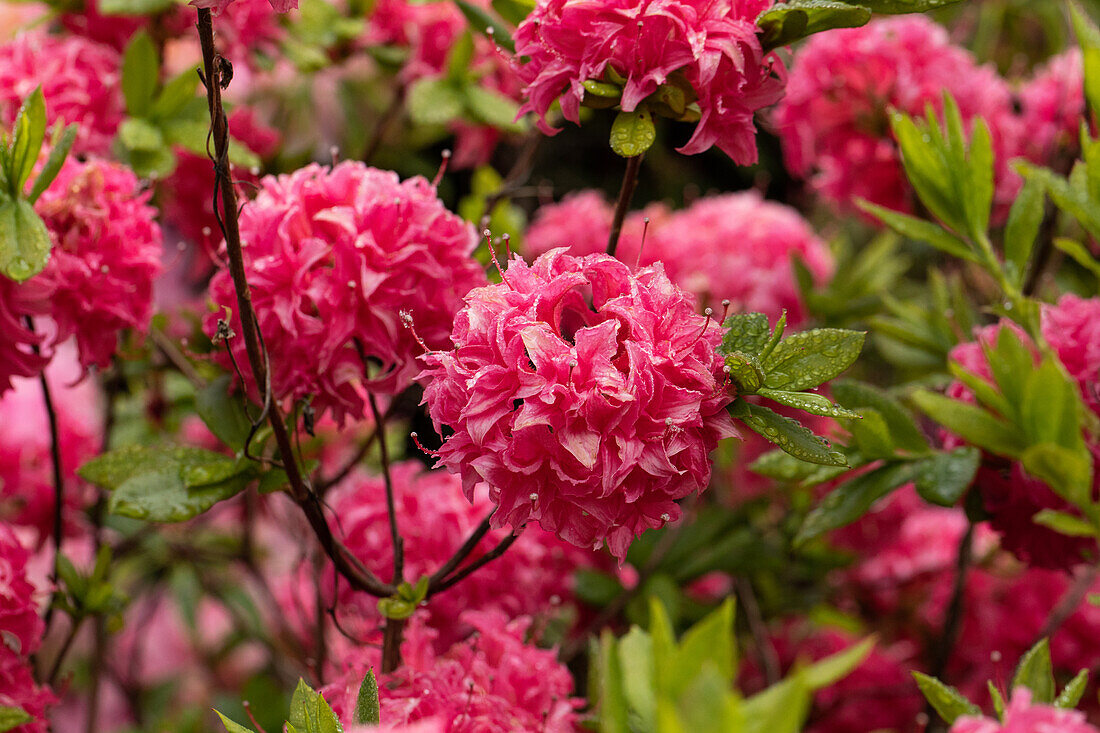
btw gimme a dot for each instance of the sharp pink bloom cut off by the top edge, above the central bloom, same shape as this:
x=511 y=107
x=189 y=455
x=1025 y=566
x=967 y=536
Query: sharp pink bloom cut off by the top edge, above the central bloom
x=713 y=47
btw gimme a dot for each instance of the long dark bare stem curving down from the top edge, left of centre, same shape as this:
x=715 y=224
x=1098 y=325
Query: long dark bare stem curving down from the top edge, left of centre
x=357 y=575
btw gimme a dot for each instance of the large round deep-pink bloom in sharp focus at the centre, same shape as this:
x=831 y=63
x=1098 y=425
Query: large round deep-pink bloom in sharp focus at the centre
x=586 y=396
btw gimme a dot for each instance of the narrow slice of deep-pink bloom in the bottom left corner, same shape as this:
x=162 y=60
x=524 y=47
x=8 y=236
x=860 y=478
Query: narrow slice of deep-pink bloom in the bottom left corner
x=20 y=636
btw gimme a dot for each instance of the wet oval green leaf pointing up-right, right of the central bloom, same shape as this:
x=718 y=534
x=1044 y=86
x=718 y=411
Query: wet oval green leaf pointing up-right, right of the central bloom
x=811 y=358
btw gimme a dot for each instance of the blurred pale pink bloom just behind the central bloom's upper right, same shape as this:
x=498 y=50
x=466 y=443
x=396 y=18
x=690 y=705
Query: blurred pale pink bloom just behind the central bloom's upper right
x=741 y=247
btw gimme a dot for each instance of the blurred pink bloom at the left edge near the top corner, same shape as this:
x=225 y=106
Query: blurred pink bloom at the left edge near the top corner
x=80 y=80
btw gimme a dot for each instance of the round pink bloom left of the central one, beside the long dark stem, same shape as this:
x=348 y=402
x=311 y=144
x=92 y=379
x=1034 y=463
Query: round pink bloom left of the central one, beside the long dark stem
x=335 y=258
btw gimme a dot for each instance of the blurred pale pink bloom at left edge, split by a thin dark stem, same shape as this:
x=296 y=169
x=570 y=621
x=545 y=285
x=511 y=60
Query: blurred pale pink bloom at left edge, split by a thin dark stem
x=27 y=483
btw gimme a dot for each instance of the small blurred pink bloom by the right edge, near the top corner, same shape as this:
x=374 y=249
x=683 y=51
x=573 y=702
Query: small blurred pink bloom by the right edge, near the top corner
x=1053 y=104
